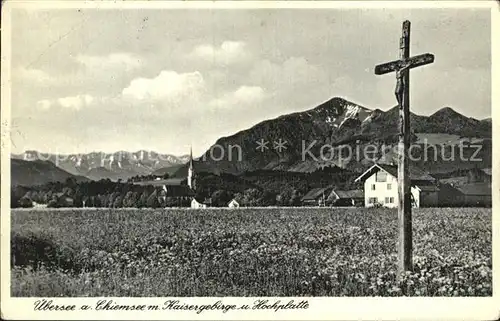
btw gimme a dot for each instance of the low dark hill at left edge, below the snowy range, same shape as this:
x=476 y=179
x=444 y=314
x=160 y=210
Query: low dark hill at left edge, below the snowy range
x=30 y=173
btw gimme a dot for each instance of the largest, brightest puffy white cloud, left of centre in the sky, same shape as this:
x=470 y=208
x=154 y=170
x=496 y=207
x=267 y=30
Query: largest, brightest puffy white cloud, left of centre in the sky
x=168 y=86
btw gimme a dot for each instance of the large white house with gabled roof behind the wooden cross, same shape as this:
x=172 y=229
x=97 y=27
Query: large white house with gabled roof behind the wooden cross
x=381 y=187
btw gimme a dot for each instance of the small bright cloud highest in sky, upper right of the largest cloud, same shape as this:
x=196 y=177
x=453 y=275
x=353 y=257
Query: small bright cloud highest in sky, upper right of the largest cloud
x=229 y=52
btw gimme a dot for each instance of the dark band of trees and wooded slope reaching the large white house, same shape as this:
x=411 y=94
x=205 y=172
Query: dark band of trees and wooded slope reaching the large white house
x=266 y=188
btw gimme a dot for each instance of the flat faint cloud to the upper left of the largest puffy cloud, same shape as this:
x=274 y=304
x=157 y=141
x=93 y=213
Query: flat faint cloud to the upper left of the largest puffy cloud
x=123 y=61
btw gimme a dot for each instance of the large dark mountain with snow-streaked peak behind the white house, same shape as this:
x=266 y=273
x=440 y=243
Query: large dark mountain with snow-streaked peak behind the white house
x=335 y=124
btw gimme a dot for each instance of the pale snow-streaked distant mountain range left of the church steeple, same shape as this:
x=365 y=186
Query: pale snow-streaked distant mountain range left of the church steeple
x=118 y=165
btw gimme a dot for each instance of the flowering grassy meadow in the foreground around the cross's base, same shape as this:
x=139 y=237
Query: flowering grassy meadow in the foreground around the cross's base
x=247 y=252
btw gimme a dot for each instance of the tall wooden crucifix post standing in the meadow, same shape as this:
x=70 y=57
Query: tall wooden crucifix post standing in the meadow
x=402 y=68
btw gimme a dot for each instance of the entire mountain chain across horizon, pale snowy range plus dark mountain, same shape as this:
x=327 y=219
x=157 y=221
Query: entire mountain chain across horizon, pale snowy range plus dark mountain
x=325 y=132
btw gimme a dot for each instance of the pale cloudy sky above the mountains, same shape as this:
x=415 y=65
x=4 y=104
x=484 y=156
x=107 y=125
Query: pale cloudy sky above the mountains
x=164 y=80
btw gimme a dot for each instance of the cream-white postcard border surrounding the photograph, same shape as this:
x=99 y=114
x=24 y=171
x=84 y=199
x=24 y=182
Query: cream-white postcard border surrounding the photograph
x=320 y=308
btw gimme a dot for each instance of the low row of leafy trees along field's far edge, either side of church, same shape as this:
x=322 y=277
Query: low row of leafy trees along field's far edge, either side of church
x=124 y=195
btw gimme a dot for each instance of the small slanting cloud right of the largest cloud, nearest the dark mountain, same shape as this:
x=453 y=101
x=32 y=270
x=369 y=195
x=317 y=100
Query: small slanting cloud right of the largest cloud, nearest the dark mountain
x=244 y=95
